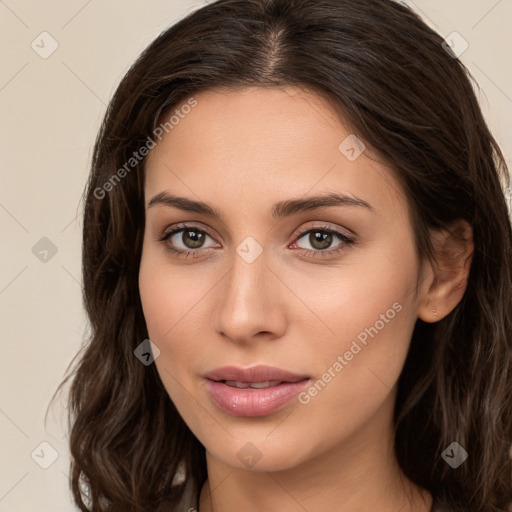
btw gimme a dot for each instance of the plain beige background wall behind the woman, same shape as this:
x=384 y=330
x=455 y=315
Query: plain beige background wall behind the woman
x=51 y=110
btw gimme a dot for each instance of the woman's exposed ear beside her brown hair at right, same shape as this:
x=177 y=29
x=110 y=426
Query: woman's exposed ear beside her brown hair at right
x=445 y=281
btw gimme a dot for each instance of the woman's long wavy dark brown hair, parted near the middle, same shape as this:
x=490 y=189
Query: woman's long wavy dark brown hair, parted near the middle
x=409 y=99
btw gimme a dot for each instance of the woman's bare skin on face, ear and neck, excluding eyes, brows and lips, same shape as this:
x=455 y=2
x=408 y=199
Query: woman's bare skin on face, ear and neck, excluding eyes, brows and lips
x=243 y=151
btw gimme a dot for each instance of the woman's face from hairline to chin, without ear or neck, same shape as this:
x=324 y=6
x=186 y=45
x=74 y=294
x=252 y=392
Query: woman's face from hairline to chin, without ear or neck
x=327 y=293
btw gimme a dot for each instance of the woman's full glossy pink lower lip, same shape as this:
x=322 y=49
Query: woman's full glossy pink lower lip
x=251 y=401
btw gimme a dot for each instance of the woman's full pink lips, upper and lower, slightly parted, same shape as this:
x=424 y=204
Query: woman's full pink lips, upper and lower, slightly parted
x=250 y=401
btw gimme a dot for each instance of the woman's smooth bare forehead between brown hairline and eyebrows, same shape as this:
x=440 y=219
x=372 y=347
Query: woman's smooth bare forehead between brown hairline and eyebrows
x=258 y=145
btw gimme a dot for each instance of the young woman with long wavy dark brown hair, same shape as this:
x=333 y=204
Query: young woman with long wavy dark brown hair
x=299 y=204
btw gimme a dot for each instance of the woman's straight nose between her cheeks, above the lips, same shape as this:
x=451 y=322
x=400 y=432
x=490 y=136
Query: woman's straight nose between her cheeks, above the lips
x=250 y=301
